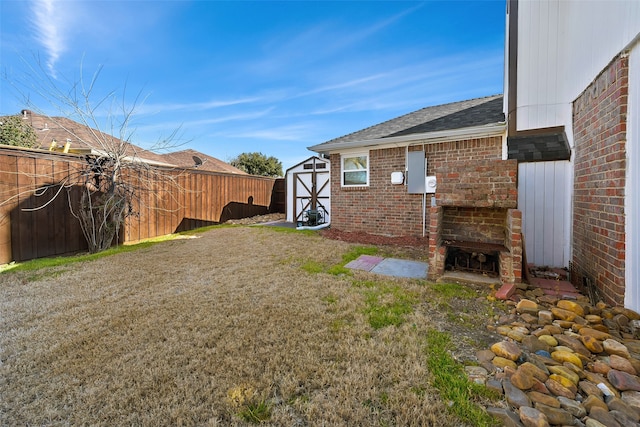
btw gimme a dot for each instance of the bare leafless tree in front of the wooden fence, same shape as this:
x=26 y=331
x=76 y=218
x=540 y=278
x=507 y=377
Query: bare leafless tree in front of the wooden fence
x=114 y=176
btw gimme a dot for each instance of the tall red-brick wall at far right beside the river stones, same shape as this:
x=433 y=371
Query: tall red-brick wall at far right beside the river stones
x=599 y=124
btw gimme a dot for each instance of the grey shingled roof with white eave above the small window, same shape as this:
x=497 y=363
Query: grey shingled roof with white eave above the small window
x=435 y=121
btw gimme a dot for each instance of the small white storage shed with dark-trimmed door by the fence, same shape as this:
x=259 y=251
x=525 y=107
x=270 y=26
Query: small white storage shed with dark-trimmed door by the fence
x=309 y=192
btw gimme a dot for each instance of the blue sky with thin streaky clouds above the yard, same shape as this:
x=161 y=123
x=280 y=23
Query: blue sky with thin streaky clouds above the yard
x=268 y=76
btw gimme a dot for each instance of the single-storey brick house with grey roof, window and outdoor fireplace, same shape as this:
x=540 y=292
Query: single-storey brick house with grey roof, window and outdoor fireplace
x=382 y=183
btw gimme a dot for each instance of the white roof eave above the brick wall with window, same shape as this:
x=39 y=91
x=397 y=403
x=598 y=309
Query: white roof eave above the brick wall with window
x=484 y=131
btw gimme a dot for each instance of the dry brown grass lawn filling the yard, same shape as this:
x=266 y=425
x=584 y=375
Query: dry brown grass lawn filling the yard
x=200 y=331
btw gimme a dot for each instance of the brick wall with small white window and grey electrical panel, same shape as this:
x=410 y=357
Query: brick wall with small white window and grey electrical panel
x=386 y=209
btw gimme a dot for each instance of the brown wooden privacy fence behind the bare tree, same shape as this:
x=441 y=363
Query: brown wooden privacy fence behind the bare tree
x=35 y=224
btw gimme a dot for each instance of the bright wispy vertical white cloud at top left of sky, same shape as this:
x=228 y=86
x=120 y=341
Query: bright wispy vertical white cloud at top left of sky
x=49 y=27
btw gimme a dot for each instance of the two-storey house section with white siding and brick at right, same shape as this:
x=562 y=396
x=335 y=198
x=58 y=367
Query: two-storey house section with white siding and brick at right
x=573 y=82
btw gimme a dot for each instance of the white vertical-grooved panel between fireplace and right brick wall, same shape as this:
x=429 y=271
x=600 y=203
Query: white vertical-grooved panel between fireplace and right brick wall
x=544 y=197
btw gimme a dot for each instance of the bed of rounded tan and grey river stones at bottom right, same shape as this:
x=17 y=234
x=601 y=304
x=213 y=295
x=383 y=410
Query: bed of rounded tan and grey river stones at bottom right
x=565 y=362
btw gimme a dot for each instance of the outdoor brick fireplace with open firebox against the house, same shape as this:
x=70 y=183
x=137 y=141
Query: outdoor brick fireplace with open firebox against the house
x=474 y=225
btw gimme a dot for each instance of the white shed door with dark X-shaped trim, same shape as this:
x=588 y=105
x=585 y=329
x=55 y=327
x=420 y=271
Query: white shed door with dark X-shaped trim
x=311 y=190
